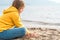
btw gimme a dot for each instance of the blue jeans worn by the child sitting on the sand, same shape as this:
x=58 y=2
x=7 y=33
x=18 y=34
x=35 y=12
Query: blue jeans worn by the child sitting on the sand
x=12 y=33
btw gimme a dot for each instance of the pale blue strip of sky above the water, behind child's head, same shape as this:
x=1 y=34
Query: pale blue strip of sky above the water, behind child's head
x=33 y=2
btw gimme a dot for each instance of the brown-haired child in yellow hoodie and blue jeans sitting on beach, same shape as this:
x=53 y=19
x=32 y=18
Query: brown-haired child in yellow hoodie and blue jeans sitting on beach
x=10 y=22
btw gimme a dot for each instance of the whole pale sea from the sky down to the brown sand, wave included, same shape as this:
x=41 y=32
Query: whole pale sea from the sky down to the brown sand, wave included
x=39 y=16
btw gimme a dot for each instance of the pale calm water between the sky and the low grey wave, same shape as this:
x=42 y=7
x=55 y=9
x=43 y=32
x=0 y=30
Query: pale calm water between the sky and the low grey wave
x=48 y=14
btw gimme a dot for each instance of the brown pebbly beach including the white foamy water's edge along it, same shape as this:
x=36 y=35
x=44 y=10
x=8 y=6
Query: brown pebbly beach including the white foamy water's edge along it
x=46 y=32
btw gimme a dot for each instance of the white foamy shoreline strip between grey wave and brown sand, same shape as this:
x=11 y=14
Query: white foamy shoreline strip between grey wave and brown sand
x=30 y=24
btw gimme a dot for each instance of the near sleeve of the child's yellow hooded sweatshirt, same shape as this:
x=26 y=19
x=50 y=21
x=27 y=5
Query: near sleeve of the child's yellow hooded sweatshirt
x=16 y=20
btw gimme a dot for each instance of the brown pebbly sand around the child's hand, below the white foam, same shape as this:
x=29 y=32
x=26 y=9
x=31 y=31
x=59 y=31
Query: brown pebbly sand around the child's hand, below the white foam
x=44 y=34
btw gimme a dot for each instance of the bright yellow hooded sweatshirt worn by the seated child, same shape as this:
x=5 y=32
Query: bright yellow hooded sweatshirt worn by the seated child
x=9 y=19
